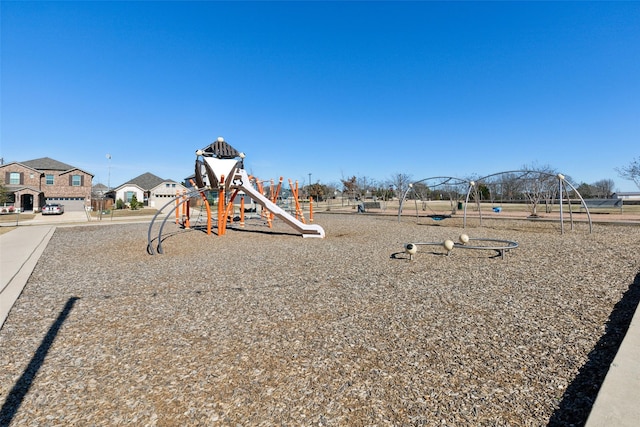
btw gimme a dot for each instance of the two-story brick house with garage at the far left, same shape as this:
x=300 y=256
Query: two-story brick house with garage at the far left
x=33 y=183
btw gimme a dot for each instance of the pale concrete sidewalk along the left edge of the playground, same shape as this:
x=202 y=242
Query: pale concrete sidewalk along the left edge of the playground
x=20 y=250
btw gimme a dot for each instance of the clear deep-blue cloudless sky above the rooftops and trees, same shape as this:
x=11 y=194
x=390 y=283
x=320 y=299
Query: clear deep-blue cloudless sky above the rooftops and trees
x=334 y=89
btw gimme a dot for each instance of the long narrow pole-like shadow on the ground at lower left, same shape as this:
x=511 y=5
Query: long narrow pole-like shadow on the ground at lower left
x=22 y=386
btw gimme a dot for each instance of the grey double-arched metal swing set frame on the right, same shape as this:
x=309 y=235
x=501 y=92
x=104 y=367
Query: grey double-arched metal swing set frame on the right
x=528 y=174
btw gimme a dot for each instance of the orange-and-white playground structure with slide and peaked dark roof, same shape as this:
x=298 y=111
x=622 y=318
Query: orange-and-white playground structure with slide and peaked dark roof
x=220 y=167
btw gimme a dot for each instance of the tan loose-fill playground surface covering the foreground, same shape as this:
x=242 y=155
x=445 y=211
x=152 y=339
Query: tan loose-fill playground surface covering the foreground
x=263 y=327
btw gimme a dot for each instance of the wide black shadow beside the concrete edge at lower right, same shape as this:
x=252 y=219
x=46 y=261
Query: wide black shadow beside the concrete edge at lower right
x=578 y=399
